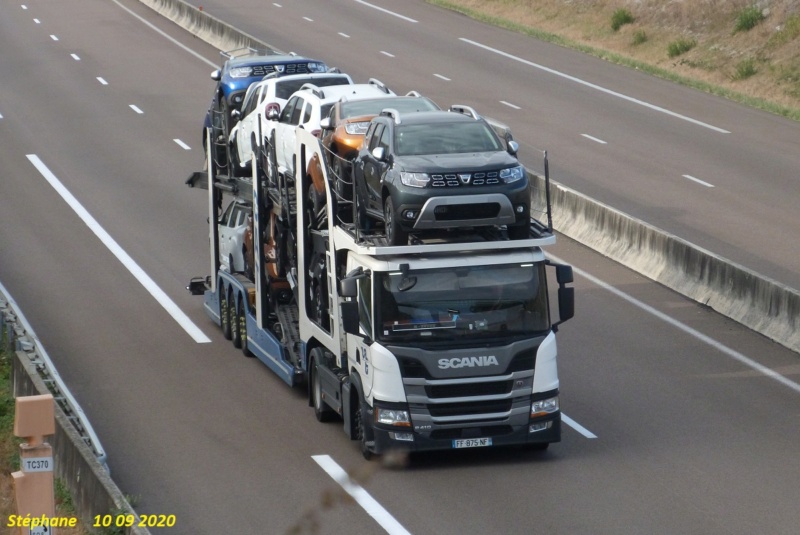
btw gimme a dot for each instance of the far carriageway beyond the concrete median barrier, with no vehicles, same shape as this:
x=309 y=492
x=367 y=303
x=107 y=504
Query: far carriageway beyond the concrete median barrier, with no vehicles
x=713 y=172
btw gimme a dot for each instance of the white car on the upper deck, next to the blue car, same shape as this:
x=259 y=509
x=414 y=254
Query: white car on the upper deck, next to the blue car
x=274 y=89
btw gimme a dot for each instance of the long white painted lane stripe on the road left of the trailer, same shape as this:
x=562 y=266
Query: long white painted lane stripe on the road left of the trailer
x=145 y=280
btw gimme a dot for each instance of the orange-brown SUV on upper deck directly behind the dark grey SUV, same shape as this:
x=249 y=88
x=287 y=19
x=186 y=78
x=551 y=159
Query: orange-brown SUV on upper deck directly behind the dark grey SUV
x=343 y=130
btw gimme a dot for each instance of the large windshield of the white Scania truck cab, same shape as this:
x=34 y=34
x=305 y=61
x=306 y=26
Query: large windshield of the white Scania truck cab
x=462 y=304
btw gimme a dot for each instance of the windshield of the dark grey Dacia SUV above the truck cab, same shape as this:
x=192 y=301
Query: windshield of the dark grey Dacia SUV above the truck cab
x=445 y=138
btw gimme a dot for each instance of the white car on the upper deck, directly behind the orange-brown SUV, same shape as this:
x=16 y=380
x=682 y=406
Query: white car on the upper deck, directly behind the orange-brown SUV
x=305 y=109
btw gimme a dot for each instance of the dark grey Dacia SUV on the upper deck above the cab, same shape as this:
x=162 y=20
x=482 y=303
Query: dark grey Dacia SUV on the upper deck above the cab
x=439 y=169
